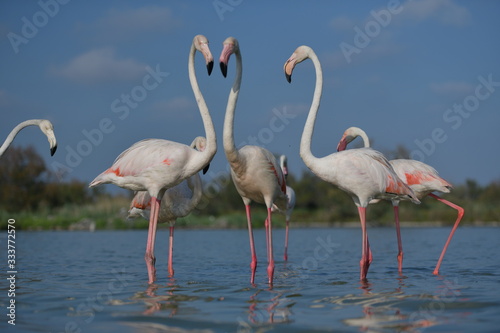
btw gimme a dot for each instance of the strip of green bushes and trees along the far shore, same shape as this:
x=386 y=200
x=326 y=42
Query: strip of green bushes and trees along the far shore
x=32 y=195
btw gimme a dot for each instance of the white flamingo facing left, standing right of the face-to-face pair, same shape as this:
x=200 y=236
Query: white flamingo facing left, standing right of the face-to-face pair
x=363 y=173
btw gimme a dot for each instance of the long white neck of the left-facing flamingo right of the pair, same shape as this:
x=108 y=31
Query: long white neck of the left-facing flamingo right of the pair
x=305 y=142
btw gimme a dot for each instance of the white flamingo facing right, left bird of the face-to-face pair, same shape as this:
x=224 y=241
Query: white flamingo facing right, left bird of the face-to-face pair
x=155 y=165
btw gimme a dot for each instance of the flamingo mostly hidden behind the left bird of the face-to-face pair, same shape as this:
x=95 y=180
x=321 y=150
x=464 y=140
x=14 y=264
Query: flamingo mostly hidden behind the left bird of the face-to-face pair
x=178 y=201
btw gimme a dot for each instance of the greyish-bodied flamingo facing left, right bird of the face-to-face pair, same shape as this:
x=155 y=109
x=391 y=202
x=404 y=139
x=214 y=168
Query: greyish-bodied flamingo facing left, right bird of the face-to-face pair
x=254 y=170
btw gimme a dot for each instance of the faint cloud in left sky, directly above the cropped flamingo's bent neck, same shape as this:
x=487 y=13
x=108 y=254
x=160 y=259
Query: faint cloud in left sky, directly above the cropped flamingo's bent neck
x=100 y=65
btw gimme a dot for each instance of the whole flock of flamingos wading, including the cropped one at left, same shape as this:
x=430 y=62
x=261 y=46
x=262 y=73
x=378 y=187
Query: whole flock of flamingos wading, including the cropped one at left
x=165 y=174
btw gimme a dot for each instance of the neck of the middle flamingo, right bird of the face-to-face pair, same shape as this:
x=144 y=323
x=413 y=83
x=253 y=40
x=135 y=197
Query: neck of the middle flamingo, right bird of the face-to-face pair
x=228 y=132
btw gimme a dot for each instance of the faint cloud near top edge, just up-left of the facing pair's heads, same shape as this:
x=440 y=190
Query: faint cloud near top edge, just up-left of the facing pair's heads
x=121 y=24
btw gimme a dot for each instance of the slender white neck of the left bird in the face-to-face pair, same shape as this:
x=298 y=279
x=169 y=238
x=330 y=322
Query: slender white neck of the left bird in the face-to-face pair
x=211 y=147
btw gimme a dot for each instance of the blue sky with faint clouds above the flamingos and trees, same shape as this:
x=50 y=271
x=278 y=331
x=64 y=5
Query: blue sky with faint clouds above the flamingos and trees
x=424 y=74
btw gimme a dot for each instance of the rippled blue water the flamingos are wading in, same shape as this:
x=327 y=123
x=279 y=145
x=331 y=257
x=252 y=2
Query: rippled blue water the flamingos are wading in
x=97 y=282
